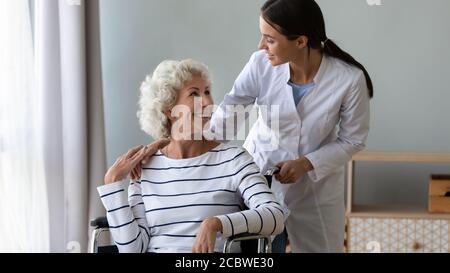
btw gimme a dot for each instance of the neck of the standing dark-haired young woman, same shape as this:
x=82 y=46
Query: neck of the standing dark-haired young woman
x=305 y=67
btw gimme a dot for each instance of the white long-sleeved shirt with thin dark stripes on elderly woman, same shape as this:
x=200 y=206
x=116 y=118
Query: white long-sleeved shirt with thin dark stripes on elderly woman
x=163 y=211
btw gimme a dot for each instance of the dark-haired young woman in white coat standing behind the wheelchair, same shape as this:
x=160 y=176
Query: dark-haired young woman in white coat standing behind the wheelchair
x=322 y=97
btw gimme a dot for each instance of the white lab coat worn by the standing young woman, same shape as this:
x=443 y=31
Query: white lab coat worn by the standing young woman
x=328 y=126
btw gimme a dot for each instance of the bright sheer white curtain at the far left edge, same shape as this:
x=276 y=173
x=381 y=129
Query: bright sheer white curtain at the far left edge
x=24 y=219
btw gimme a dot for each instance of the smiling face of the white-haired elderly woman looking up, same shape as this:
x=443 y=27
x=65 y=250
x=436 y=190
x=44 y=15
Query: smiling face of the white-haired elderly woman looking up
x=193 y=108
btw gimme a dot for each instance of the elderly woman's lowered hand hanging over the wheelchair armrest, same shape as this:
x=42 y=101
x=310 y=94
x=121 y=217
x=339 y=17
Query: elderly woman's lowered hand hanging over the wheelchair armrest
x=206 y=236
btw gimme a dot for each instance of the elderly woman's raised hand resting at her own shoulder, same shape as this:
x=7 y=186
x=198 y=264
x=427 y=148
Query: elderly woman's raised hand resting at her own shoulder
x=127 y=162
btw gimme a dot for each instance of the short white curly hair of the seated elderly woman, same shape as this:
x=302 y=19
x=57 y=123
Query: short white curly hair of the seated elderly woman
x=159 y=92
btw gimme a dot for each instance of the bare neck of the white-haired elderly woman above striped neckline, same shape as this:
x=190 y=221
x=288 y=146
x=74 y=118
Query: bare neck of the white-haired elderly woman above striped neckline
x=179 y=149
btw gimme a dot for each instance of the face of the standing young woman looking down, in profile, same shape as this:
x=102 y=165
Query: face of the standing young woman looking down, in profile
x=279 y=49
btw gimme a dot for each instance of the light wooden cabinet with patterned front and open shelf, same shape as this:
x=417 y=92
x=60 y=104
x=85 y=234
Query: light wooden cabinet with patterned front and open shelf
x=394 y=228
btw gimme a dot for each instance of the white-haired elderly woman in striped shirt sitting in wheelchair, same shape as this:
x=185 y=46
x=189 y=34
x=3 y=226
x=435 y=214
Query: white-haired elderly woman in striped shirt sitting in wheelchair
x=190 y=194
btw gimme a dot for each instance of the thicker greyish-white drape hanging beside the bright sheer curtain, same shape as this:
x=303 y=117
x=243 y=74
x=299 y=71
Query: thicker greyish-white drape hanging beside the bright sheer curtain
x=67 y=48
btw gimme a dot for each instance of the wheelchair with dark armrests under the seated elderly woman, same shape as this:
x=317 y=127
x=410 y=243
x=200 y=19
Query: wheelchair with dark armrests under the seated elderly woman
x=249 y=243
